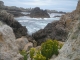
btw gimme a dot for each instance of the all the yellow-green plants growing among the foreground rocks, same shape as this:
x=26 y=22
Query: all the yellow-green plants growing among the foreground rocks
x=48 y=48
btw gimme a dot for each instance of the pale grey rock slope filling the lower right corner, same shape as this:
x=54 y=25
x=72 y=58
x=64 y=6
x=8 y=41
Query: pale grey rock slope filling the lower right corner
x=71 y=49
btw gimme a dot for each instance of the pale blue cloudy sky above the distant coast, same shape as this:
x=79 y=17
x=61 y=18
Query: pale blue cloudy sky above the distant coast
x=59 y=5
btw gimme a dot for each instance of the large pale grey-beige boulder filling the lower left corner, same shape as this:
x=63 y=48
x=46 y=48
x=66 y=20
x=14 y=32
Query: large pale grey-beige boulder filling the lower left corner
x=8 y=46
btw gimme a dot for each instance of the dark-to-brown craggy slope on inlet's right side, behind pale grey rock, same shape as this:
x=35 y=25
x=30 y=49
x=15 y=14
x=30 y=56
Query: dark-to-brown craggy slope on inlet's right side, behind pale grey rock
x=58 y=29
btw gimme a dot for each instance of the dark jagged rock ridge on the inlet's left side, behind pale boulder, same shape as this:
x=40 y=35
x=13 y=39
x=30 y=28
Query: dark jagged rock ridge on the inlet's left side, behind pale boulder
x=8 y=19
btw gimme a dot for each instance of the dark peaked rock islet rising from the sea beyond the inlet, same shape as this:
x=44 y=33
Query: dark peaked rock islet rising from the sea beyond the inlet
x=38 y=13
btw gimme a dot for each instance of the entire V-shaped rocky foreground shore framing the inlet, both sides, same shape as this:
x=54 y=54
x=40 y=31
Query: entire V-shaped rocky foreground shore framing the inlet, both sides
x=14 y=37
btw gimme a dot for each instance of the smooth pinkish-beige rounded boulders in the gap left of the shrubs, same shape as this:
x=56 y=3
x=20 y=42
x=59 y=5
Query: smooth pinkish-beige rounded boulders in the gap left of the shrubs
x=24 y=44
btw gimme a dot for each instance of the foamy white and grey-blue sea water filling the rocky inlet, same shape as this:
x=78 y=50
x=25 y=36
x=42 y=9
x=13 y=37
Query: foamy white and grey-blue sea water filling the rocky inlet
x=35 y=24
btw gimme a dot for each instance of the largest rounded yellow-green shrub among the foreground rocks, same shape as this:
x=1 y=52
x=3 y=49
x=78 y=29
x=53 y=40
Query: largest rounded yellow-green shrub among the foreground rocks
x=49 y=48
